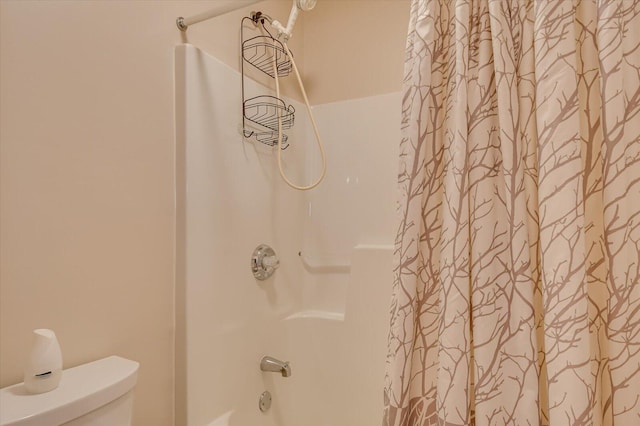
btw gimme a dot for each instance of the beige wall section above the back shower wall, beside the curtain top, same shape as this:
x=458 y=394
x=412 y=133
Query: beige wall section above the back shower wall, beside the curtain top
x=354 y=48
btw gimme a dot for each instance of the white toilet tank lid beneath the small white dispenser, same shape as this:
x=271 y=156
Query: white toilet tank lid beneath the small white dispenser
x=82 y=389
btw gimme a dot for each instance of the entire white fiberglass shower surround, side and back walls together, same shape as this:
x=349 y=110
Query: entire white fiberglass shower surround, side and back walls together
x=329 y=323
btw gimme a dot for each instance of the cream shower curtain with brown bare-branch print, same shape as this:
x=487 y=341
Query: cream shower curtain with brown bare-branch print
x=517 y=258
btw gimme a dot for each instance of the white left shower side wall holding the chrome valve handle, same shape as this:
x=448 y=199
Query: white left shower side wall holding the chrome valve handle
x=230 y=200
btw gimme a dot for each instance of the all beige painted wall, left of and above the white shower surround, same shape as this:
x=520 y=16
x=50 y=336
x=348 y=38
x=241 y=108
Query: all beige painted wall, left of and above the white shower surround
x=87 y=164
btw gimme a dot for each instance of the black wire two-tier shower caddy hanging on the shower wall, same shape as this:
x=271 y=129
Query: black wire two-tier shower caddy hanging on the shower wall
x=261 y=112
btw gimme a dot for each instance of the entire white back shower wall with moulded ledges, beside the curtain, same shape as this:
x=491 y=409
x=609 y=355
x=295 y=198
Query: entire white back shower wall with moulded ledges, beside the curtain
x=339 y=338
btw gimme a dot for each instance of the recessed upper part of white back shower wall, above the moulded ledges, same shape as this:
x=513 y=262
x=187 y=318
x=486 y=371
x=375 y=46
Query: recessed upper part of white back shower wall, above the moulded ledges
x=355 y=205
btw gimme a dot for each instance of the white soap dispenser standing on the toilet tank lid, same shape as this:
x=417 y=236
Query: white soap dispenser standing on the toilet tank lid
x=43 y=369
